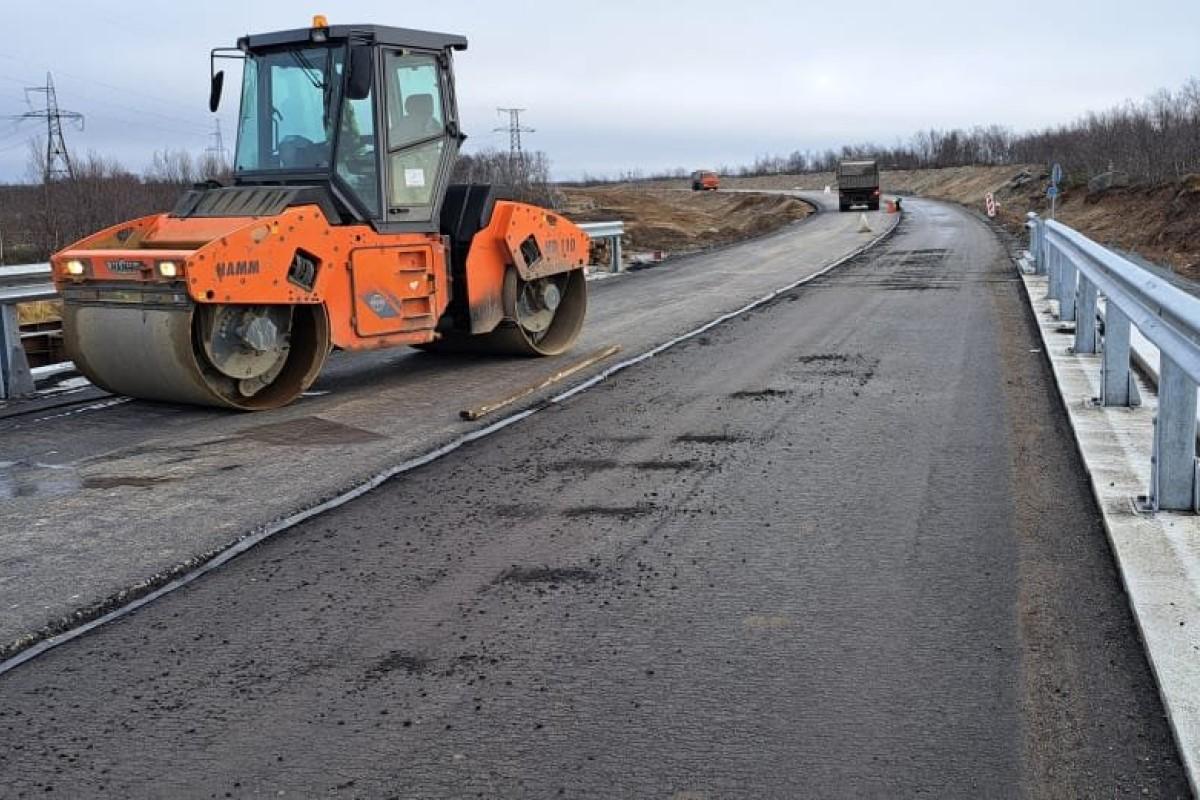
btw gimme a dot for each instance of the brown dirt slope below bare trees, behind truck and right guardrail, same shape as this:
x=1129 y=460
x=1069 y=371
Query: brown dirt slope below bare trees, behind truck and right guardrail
x=1161 y=224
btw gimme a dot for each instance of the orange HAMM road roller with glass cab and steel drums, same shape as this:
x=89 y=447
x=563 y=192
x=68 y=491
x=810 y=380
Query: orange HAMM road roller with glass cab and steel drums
x=340 y=230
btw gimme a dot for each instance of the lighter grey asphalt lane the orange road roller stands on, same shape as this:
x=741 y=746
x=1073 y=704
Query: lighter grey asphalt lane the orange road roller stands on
x=105 y=497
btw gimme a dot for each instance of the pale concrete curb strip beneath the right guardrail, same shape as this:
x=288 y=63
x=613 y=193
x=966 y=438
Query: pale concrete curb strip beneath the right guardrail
x=1159 y=556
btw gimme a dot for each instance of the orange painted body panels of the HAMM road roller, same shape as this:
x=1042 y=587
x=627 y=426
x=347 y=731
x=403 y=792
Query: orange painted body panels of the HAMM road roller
x=379 y=290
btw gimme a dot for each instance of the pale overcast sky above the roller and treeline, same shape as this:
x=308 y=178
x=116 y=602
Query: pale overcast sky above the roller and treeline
x=628 y=85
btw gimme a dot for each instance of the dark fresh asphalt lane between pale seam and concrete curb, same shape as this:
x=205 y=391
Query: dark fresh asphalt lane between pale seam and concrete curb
x=838 y=548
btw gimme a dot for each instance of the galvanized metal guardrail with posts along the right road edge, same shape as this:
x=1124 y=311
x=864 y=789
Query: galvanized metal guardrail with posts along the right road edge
x=1081 y=273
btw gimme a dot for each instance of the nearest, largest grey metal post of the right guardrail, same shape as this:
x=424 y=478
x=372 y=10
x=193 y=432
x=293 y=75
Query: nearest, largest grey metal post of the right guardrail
x=1174 y=471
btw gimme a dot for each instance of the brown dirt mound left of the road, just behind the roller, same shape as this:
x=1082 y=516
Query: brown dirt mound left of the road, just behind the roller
x=681 y=221
